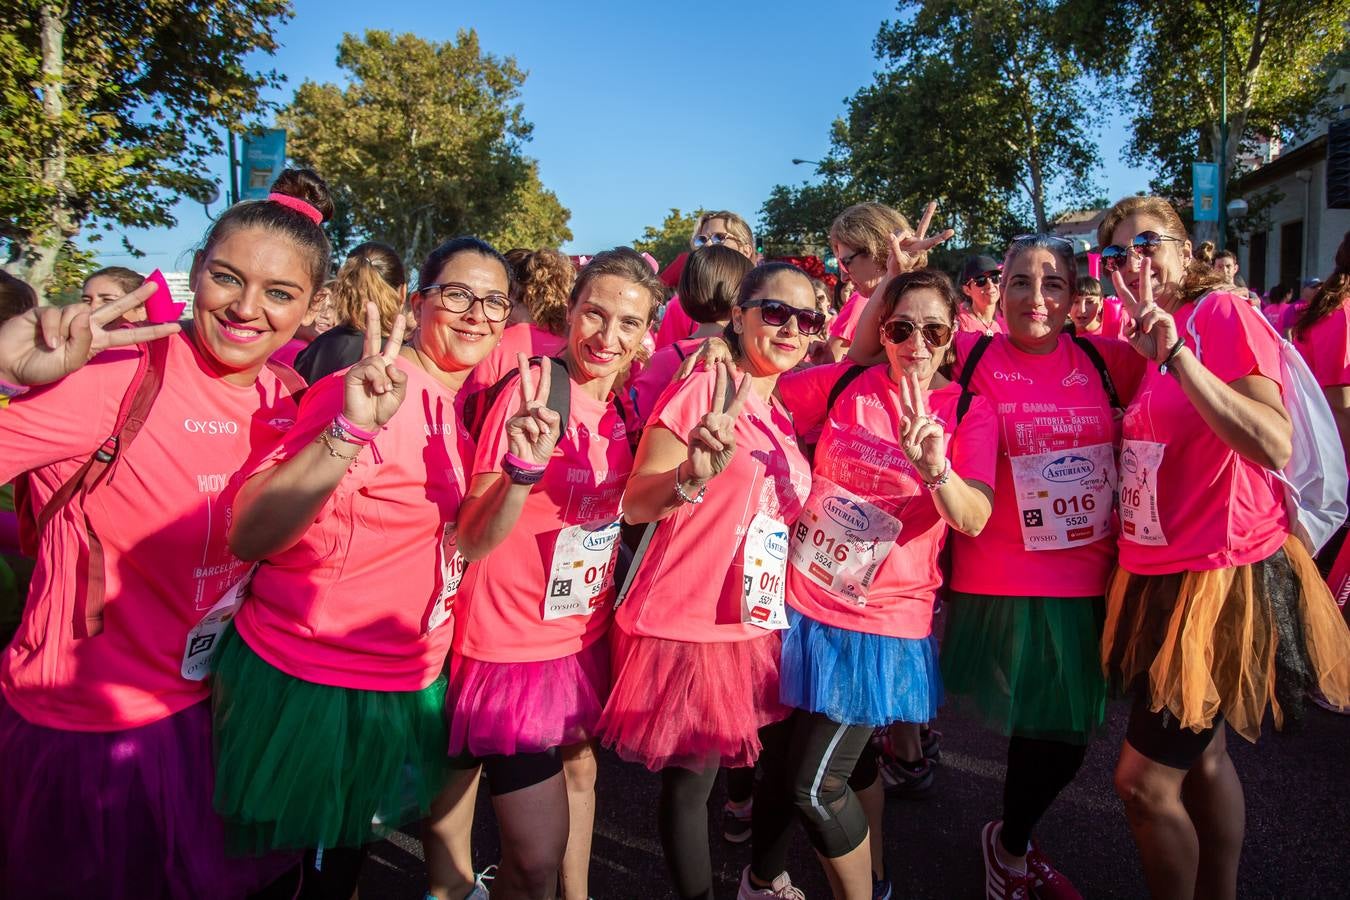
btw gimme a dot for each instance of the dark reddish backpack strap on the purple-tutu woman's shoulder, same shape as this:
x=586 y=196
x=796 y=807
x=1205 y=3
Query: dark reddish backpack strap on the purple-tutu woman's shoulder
x=132 y=418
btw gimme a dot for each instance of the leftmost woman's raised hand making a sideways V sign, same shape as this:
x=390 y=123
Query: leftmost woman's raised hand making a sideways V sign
x=48 y=343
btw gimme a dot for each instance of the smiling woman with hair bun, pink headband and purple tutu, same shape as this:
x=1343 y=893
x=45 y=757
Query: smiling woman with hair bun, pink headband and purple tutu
x=105 y=721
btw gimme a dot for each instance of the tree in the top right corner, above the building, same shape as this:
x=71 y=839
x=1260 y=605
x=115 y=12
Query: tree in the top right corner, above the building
x=1280 y=60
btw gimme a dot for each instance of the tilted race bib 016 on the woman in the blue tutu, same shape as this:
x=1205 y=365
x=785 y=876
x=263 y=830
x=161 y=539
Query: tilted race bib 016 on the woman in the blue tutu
x=842 y=540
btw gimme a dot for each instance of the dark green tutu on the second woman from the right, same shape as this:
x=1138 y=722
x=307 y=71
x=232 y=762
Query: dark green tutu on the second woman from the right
x=1032 y=666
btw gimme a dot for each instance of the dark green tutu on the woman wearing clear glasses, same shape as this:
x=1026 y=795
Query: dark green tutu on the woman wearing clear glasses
x=311 y=766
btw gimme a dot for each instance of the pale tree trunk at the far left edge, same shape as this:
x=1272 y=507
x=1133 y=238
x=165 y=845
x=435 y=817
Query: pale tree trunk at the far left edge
x=38 y=254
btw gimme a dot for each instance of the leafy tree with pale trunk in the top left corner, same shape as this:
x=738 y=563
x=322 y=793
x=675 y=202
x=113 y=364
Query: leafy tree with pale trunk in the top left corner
x=110 y=110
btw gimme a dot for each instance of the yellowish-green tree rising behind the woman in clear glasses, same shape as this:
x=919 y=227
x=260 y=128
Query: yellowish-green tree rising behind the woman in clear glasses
x=426 y=141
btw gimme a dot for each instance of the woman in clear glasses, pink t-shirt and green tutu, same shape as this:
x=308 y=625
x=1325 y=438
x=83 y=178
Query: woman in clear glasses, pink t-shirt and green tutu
x=329 y=651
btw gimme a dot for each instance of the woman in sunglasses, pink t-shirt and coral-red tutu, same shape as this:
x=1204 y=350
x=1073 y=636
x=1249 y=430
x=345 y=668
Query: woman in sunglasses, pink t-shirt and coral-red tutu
x=696 y=654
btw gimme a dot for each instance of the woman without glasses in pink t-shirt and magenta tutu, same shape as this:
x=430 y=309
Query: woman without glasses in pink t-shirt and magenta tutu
x=541 y=524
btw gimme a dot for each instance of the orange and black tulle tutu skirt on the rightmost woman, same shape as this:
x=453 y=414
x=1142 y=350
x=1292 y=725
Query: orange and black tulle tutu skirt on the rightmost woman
x=1229 y=642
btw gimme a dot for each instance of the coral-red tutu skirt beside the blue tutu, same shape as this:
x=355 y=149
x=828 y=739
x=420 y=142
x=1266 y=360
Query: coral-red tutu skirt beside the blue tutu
x=696 y=706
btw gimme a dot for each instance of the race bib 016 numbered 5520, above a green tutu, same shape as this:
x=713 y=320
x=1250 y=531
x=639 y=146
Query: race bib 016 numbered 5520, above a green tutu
x=1064 y=497
